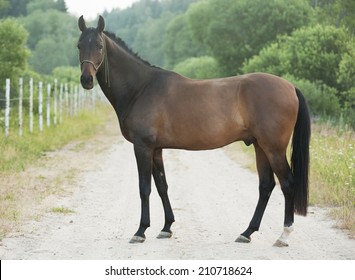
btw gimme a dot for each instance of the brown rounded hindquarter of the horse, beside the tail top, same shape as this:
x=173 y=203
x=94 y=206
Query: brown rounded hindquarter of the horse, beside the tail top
x=272 y=106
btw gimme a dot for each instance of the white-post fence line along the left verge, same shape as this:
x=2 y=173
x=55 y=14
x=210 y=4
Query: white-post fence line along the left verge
x=73 y=98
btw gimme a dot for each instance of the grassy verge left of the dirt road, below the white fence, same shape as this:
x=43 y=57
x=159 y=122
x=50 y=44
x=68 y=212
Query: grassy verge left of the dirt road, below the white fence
x=30 y=180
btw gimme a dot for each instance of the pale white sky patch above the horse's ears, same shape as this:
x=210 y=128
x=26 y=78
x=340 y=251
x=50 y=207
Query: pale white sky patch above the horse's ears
x=91 y=8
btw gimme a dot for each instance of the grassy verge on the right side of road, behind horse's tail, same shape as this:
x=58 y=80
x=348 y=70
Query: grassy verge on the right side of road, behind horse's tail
x=332 y=171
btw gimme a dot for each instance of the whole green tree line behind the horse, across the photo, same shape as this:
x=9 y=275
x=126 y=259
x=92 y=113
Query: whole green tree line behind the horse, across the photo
x=309 y=42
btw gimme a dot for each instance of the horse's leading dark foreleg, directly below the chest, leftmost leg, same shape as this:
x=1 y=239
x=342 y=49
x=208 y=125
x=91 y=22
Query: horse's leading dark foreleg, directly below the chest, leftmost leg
x=144 y=157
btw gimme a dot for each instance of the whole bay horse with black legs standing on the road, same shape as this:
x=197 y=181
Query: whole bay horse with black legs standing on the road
x=159 y=109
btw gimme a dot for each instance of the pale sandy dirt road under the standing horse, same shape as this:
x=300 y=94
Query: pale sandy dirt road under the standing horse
x=213 y=198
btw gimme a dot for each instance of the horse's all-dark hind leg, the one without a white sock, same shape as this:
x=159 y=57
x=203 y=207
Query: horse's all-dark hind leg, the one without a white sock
x=266 y=185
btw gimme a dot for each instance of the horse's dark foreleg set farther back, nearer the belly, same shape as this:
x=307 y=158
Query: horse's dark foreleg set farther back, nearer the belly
x=162 y=186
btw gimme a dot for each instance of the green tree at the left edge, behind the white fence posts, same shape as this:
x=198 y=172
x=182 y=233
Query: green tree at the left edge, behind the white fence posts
x=13 y=51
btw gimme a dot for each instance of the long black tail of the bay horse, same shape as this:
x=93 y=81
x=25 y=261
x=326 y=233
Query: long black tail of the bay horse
x=300 y=155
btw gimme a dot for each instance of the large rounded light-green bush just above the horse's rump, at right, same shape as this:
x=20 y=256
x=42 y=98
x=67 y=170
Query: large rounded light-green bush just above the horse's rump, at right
x=312 y=53
